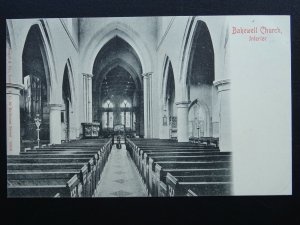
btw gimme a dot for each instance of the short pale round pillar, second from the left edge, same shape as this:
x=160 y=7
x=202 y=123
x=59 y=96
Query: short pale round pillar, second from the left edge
x=55 y=123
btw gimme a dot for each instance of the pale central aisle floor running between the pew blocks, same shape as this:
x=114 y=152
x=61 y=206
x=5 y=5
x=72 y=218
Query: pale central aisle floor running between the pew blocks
x=120 y=177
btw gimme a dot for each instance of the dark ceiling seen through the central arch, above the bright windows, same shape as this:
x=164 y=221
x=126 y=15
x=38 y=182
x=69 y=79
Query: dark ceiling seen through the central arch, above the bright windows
x=116 y=70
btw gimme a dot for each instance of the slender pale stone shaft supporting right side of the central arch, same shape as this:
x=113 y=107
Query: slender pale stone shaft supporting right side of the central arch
x=147 y=82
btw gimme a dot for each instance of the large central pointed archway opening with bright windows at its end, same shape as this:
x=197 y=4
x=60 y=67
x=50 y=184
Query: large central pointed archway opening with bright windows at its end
x=117 y=88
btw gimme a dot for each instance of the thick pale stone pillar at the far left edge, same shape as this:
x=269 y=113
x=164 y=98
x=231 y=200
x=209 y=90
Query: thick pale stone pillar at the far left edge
x=13 y=118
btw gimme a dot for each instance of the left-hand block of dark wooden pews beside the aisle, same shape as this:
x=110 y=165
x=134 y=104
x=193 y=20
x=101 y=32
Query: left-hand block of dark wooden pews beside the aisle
x=82 y=183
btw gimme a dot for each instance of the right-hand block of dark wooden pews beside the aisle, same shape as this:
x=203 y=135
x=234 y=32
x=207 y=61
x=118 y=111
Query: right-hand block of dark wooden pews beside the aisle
x=145 y=154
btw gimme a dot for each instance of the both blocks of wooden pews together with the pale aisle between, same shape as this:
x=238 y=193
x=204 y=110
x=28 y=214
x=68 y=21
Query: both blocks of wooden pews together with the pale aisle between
x=138 y=168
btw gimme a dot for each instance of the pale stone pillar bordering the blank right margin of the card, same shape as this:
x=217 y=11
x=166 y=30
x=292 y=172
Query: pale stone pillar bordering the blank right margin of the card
x=224 y=113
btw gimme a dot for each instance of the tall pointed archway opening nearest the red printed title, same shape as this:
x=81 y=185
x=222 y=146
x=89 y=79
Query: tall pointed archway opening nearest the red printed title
x=199 y=82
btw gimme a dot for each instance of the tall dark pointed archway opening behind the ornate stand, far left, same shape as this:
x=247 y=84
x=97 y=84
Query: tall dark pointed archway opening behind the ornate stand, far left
x=35 y=95
